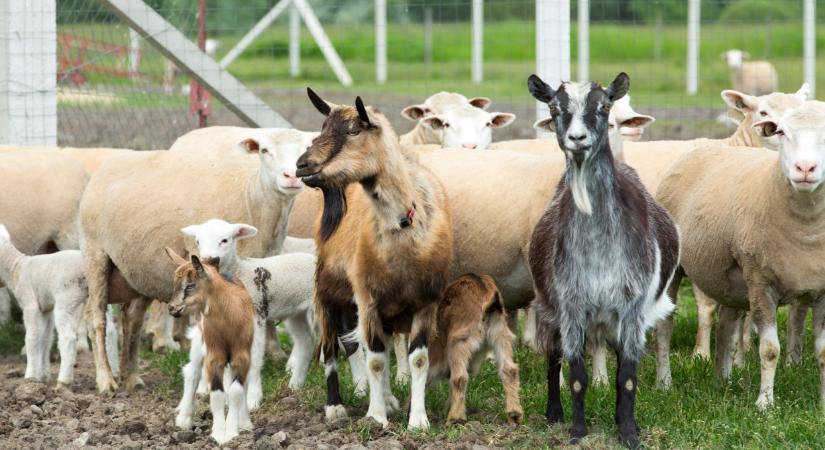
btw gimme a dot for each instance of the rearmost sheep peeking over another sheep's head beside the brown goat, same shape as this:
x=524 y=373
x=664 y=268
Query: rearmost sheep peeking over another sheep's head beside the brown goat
x=438 y=103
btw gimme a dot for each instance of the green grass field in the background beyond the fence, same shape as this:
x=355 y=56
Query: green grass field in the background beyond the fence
x=509 y=56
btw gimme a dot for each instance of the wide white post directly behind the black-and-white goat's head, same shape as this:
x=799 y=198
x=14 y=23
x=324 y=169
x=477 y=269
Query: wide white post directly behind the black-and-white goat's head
x=552 y=47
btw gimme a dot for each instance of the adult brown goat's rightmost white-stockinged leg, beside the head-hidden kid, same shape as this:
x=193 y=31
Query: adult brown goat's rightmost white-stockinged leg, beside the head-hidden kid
x=422 y=326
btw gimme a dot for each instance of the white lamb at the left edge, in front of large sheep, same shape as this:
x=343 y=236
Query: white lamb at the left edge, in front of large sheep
x=50 y=289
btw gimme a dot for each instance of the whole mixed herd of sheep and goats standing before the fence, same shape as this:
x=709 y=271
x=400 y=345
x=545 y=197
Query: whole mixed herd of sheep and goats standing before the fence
x=429 y=242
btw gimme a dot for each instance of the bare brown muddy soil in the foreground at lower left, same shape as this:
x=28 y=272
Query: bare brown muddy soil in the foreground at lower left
x=33 y=416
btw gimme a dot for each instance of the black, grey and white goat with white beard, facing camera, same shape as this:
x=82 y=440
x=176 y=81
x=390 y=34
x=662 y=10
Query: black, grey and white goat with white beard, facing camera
x=601 y=256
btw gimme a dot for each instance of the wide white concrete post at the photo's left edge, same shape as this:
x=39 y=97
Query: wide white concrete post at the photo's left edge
x=28 y=72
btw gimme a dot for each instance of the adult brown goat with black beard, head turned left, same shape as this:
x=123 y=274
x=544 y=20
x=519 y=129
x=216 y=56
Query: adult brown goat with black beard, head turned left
x=385 y=238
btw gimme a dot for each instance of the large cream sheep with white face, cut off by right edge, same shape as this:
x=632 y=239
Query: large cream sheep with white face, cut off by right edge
x=756 y=242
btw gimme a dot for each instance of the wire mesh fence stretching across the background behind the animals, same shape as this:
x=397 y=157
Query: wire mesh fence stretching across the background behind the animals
x=116 y=89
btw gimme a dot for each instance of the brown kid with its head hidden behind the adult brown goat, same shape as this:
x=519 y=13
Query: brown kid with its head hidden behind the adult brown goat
x=471 y=322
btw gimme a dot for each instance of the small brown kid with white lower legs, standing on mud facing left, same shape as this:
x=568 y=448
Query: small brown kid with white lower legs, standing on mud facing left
x=227 y=327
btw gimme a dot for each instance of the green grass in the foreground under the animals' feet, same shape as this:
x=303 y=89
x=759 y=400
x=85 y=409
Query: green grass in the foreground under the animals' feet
x=699 y=412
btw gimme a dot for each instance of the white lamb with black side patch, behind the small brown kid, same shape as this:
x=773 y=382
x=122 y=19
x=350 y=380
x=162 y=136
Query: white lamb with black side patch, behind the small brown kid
x=281 y=288
